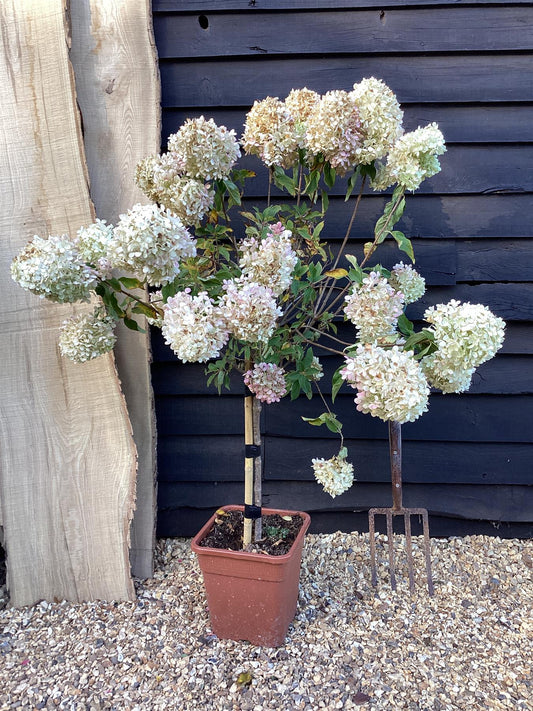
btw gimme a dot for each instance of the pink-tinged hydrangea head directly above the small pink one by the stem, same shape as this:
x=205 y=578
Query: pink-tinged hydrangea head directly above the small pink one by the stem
x=250 y=310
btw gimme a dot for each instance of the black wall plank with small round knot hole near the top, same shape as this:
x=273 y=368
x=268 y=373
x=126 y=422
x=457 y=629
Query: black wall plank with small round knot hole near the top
x=461 y=29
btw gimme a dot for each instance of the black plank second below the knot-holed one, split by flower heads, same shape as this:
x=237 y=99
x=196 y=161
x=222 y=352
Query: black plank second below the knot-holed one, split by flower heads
x=471 y=124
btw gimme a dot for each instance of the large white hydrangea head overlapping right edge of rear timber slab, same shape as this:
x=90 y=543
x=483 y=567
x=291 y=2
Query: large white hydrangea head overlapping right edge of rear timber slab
x=150 y=242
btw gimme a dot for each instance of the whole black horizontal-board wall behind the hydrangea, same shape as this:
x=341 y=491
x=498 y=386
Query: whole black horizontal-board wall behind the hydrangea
x=468 y=66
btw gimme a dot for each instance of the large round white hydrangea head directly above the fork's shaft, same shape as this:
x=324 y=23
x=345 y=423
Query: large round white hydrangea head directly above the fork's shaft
x=390 y=383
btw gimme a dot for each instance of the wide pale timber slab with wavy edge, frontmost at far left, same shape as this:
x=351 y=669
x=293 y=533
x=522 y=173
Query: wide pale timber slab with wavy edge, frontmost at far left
x=67 y=458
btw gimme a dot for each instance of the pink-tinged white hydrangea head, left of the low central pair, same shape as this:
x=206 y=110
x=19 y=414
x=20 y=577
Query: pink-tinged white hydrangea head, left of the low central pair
x=194 y=327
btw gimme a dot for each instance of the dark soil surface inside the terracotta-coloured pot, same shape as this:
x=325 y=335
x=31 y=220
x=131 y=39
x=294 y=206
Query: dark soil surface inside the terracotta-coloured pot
x=279 y=533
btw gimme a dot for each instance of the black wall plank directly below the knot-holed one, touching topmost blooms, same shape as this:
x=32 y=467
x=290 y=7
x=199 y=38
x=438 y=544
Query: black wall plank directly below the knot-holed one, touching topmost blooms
x=419 y=79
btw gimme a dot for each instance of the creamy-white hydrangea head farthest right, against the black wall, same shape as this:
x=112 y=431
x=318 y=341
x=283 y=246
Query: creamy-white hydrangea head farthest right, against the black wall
x=466 y=335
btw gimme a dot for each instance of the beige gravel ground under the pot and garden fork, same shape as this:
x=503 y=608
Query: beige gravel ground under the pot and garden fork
x=350 y=646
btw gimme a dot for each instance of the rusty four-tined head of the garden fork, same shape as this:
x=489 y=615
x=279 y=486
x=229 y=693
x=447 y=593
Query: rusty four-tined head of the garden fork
x=406 y=513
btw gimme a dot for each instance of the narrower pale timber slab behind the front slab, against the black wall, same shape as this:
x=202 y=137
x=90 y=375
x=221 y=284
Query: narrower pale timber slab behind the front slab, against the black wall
x=118 y=89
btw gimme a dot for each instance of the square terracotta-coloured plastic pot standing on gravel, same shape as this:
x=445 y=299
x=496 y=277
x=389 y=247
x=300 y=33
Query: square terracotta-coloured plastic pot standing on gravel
x=251 y=596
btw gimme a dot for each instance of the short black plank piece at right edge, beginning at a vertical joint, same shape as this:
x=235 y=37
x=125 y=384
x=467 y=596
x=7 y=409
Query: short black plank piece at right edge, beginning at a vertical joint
x=495 y=260
